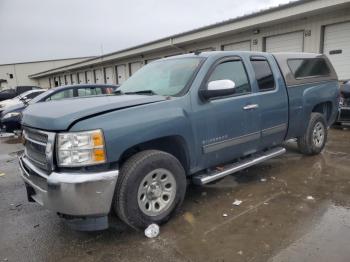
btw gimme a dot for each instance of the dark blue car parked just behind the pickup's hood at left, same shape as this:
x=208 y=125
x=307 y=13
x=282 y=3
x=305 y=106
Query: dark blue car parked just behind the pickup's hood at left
x=10 y=119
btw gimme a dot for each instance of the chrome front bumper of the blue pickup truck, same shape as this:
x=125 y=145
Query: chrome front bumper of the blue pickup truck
x=73 y=194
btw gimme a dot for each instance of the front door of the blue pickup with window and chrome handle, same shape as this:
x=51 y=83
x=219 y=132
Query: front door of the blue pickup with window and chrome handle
x=227 y=127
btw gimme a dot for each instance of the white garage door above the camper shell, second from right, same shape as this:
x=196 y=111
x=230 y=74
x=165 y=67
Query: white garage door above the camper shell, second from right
x=291 y=42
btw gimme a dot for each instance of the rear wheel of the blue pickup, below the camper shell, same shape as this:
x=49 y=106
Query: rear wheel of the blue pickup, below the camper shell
x=315 y=137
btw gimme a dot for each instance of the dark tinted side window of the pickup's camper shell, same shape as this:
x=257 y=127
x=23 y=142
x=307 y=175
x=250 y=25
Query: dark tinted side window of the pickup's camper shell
x=308 y=67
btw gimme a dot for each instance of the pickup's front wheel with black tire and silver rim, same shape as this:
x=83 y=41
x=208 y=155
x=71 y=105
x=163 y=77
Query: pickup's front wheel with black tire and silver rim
x=130 y=199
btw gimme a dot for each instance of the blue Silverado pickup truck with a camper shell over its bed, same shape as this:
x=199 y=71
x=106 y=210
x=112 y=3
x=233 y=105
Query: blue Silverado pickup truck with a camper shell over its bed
x=174 y=121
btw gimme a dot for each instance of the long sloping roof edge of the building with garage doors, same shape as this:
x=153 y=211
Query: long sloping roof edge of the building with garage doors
x=284 y=12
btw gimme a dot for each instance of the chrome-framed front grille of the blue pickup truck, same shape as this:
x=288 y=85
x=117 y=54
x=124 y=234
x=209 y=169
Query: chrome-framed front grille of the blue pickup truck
x=36 y=145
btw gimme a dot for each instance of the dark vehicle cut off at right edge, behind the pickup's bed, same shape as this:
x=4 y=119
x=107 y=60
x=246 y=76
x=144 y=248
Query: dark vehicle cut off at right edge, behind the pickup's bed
x=344 y=104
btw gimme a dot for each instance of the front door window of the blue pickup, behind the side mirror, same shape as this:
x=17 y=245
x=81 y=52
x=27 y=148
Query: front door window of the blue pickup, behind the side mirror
x=235 y=71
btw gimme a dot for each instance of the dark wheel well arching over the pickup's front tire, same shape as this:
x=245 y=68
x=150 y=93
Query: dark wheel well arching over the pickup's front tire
x=174 y=145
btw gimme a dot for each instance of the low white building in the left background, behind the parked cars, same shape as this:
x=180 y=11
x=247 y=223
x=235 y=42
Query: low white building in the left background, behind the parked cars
x=16 y=74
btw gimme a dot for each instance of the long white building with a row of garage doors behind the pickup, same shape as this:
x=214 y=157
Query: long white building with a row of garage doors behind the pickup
x=319 y=26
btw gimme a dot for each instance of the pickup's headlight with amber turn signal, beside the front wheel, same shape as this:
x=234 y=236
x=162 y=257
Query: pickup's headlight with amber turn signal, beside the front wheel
x=80 y=148
